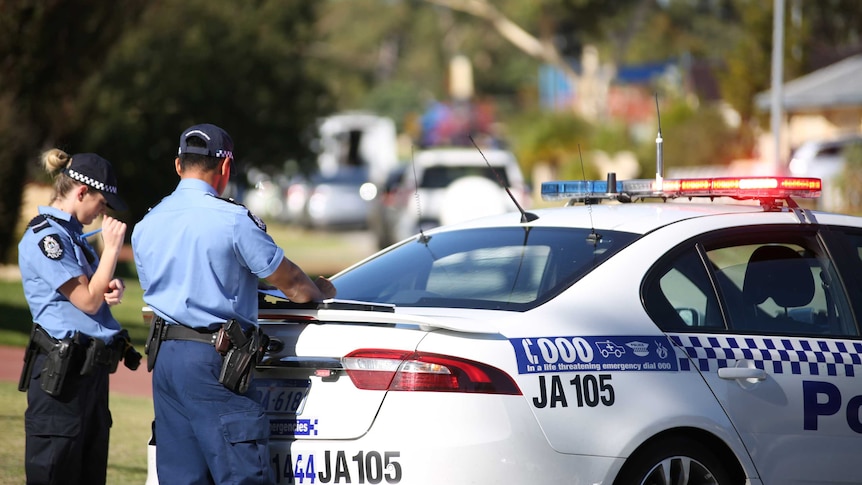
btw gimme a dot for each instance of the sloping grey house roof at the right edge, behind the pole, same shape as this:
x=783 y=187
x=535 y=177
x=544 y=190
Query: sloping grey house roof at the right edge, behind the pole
x=834 y=85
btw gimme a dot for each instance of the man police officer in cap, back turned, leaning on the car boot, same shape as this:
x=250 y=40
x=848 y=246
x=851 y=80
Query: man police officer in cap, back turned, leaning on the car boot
x=199 y=259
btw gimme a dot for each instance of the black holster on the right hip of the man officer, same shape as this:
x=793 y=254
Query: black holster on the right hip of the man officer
x=244 y=352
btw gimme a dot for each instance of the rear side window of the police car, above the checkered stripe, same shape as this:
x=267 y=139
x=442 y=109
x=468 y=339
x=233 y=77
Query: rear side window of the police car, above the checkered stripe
x=784 y=286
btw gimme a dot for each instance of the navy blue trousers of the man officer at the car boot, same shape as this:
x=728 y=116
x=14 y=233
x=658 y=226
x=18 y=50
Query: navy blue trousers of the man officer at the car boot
x=205 y=433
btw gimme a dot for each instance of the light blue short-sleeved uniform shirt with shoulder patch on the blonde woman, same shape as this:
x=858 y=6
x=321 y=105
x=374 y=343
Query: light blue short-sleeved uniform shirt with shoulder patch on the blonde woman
x=52 y=252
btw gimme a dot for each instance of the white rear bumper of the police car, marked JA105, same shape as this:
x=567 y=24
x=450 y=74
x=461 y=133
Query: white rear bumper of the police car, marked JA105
x=490 y=440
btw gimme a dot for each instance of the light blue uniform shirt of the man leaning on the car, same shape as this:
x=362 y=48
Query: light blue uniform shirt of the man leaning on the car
x=199 y=258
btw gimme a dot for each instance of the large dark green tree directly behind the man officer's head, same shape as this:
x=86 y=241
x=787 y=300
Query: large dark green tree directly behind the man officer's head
x=241 y=65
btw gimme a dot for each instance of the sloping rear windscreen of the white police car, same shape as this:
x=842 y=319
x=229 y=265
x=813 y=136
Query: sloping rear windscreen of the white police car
x=503 y=268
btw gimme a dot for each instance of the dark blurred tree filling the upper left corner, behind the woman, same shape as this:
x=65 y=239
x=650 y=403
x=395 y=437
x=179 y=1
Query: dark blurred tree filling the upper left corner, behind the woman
x=47 y=49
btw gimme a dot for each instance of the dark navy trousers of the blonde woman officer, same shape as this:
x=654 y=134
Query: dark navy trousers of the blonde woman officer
x=67 y=435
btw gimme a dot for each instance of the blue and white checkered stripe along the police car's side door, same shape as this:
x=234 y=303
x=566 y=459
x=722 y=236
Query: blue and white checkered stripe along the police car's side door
x=778 y=355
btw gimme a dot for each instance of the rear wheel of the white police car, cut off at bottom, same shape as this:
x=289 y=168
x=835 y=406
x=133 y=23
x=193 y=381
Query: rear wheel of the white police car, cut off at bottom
x=677 y=460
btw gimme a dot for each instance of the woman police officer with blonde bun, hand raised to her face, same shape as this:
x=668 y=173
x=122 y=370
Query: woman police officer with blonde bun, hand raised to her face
x=76 y=342
